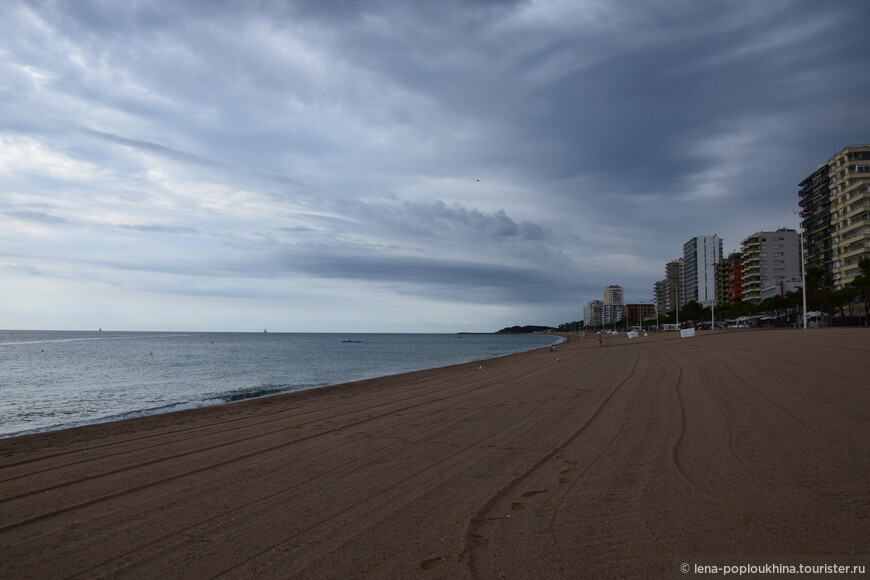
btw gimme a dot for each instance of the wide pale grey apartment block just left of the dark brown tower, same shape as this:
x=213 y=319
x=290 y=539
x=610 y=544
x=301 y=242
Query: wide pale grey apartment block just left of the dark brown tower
x=768 y=258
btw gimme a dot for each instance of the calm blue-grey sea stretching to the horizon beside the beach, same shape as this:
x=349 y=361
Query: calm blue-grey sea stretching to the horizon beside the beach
x=60 y=379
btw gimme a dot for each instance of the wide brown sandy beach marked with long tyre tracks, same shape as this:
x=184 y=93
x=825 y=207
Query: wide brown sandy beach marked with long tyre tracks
x=591 y=461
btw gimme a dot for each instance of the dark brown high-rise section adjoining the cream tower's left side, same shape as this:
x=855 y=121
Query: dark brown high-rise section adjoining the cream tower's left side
x=815 y=203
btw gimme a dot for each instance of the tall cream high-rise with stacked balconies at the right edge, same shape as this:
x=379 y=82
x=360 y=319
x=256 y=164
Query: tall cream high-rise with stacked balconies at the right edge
x=849 y=173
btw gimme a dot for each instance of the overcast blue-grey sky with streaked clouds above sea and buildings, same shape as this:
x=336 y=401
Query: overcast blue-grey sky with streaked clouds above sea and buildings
x=395 y=166
